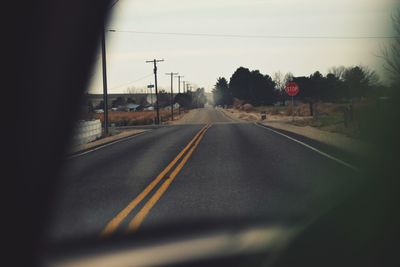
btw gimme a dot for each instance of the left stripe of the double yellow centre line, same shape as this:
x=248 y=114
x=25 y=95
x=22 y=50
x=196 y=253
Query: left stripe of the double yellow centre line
x=117 y=220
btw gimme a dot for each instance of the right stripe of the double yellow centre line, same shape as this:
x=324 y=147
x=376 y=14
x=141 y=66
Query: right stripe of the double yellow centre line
x=138 y=219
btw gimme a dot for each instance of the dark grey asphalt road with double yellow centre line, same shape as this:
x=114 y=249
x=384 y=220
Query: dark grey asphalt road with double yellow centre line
x=229 y=171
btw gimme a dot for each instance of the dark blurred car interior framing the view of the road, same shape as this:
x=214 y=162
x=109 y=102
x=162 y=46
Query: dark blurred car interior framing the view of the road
x=50 y=49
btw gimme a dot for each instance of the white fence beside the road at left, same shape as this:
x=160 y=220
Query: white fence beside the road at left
x=87 y=131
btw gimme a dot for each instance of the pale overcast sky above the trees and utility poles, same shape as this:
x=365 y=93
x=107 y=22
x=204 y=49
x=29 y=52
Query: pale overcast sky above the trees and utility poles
x=202 y=59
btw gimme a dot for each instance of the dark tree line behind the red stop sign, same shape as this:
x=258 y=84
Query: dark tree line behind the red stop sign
x=340 y=84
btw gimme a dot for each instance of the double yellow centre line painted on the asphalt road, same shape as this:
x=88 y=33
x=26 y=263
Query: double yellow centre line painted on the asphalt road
x=173 y=168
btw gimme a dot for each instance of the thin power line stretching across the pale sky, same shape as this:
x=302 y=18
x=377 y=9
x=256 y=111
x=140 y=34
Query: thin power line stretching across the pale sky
x=328 y=37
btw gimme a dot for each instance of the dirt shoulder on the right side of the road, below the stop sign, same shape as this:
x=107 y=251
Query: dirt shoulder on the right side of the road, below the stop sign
x=337 y=140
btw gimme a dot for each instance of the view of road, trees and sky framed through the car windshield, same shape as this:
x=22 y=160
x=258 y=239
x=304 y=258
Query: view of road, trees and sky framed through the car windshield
x=216 y=114
